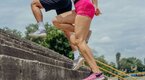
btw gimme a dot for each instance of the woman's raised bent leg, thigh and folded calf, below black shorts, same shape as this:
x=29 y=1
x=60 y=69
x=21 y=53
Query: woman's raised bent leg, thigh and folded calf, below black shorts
x=64 y=21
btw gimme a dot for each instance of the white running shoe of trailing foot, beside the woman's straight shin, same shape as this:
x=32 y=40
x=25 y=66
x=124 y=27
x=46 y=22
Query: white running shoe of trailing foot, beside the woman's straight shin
x=78 y=63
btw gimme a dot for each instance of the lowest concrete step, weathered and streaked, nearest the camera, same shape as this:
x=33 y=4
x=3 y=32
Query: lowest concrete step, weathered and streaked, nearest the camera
x=12 y=68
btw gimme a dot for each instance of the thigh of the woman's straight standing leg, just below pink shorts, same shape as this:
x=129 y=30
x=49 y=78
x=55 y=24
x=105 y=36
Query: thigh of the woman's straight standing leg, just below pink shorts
x=82 y=25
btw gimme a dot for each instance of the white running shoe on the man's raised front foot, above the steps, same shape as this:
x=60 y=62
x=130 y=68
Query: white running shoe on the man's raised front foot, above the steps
x=38 y=33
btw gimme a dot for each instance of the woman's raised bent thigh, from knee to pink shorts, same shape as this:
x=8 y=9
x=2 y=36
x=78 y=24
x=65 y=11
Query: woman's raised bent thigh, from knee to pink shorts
x=66 y=18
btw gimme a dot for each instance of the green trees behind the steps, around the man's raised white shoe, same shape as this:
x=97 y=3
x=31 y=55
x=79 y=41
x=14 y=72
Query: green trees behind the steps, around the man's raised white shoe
x=54 y=40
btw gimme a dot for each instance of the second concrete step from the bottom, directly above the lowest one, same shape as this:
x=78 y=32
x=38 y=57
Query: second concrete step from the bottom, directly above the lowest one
x=20 y=53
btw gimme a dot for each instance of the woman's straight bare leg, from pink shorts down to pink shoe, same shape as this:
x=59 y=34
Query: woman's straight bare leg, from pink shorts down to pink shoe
x=82 y=25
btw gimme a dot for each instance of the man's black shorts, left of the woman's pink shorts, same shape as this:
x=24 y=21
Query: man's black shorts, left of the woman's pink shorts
x=60 y=6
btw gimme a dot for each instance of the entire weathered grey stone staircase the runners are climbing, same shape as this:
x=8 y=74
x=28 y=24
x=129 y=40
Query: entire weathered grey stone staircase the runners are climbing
x=22 y=59
